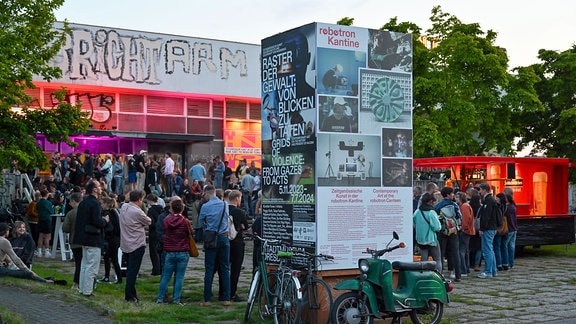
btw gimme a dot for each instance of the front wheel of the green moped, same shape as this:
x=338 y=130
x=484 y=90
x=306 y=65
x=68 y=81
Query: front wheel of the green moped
x=350 y=308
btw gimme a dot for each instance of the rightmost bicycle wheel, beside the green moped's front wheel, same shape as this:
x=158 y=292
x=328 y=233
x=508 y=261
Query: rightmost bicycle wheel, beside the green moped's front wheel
x=316 y=302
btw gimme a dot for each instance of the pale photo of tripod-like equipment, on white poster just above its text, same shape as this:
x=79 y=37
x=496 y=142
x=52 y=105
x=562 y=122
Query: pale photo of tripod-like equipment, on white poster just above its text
x=348 y=160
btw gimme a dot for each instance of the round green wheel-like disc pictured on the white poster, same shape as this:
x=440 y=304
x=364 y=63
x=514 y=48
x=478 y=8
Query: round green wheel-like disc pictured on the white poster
x=386 y=100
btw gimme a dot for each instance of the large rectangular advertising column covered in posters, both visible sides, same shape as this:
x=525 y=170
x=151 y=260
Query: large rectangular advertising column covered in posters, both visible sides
x=337 y=140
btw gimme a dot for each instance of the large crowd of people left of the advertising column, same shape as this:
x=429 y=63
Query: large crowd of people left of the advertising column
x=137 y=204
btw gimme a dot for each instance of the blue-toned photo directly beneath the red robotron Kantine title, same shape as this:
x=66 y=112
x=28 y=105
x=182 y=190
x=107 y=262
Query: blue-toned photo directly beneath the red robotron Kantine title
x=338 y=71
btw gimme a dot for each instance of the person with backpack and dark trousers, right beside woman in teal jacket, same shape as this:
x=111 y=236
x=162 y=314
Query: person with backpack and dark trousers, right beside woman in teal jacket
x=450 y=219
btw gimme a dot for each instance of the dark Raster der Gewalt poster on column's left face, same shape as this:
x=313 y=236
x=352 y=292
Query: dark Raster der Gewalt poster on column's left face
x=289 y=138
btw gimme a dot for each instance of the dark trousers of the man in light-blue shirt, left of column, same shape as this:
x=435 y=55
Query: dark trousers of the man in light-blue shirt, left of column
x=221 y=256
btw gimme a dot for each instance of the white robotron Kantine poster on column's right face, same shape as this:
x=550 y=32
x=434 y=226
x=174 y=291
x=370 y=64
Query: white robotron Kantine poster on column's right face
x=364 y=142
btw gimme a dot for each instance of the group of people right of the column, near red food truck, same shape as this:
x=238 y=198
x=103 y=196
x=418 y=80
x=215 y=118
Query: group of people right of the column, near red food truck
x=486 y=228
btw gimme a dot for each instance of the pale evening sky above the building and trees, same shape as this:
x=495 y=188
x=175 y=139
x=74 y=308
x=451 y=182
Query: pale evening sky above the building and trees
x=523 y=27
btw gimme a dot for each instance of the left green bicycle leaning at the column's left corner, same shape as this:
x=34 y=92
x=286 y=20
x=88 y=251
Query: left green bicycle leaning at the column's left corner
x=277 y=293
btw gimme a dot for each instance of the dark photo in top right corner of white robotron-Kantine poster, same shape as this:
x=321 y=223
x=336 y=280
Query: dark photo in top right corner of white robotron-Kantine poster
x=390 y=51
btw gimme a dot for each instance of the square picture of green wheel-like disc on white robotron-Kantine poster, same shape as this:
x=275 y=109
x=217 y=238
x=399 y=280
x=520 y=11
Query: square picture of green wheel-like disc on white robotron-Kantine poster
x=385 y=100
